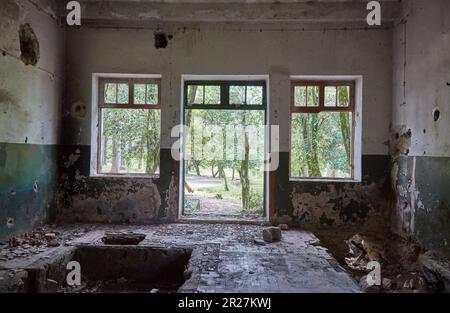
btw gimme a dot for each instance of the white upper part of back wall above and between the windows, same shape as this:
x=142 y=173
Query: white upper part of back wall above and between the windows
x=233 y=50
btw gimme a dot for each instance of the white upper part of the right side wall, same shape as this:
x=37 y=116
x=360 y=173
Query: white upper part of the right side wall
x=420 y=77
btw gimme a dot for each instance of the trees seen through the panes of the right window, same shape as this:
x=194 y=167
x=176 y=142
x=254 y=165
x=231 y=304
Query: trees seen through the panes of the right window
x=321 y=142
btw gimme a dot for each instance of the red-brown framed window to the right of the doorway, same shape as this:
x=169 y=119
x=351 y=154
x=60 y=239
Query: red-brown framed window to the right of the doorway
x=322 y=129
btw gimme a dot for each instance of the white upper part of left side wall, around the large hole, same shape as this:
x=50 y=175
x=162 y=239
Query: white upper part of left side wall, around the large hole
x=30 y=96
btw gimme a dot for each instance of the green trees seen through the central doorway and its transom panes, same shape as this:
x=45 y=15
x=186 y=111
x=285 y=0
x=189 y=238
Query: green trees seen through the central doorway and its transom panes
x=242 y=170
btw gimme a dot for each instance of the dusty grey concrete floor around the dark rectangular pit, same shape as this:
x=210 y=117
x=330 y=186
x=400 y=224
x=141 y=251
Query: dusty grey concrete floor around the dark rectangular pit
x=225 y=257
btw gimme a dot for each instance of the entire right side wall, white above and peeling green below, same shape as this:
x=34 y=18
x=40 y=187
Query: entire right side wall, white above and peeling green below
x=420 y=172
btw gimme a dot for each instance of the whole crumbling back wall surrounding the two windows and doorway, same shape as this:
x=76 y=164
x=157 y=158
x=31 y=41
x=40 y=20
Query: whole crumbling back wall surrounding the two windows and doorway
x=219 y=49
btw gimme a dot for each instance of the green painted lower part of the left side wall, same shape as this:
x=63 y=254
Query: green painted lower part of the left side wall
x=27 y=185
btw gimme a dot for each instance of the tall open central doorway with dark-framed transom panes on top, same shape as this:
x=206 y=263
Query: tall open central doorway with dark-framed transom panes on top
x=223 y=165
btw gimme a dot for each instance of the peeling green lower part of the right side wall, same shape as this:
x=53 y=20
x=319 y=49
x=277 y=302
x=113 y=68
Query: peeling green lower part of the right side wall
x=422 y=209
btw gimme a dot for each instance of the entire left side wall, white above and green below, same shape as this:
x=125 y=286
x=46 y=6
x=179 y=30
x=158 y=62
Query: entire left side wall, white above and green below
x=31 y=82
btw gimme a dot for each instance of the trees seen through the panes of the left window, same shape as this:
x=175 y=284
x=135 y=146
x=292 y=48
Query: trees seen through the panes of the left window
x=130 y=137
